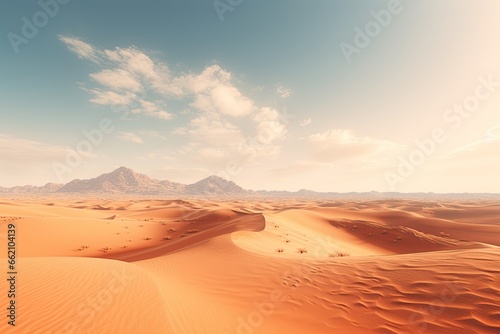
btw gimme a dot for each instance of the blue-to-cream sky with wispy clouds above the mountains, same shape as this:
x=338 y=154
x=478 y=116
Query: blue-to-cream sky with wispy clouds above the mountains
x=334 y=96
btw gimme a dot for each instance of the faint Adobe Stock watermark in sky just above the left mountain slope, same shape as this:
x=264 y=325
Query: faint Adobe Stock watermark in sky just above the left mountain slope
x=83 y=148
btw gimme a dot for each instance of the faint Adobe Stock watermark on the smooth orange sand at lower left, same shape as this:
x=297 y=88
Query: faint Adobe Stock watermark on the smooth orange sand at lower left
x=84 y=314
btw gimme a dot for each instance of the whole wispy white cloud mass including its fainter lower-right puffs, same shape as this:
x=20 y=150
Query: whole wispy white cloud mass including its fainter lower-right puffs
x=222 y=124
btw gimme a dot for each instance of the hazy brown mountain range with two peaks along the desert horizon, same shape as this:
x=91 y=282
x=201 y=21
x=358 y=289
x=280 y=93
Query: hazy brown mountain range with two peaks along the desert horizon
x=125 y=181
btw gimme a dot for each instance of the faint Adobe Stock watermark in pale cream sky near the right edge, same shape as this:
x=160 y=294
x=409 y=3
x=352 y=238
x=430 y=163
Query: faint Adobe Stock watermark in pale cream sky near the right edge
x=453 y=117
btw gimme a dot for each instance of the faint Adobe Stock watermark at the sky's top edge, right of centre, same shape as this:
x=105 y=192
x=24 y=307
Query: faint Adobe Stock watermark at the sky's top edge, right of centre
x=363 y=37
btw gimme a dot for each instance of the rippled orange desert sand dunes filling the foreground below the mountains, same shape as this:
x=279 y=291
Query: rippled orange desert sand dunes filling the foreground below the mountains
x=265 y=266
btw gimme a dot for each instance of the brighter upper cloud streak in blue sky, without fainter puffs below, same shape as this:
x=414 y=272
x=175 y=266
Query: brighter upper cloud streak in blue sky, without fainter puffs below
x=129 y=71
